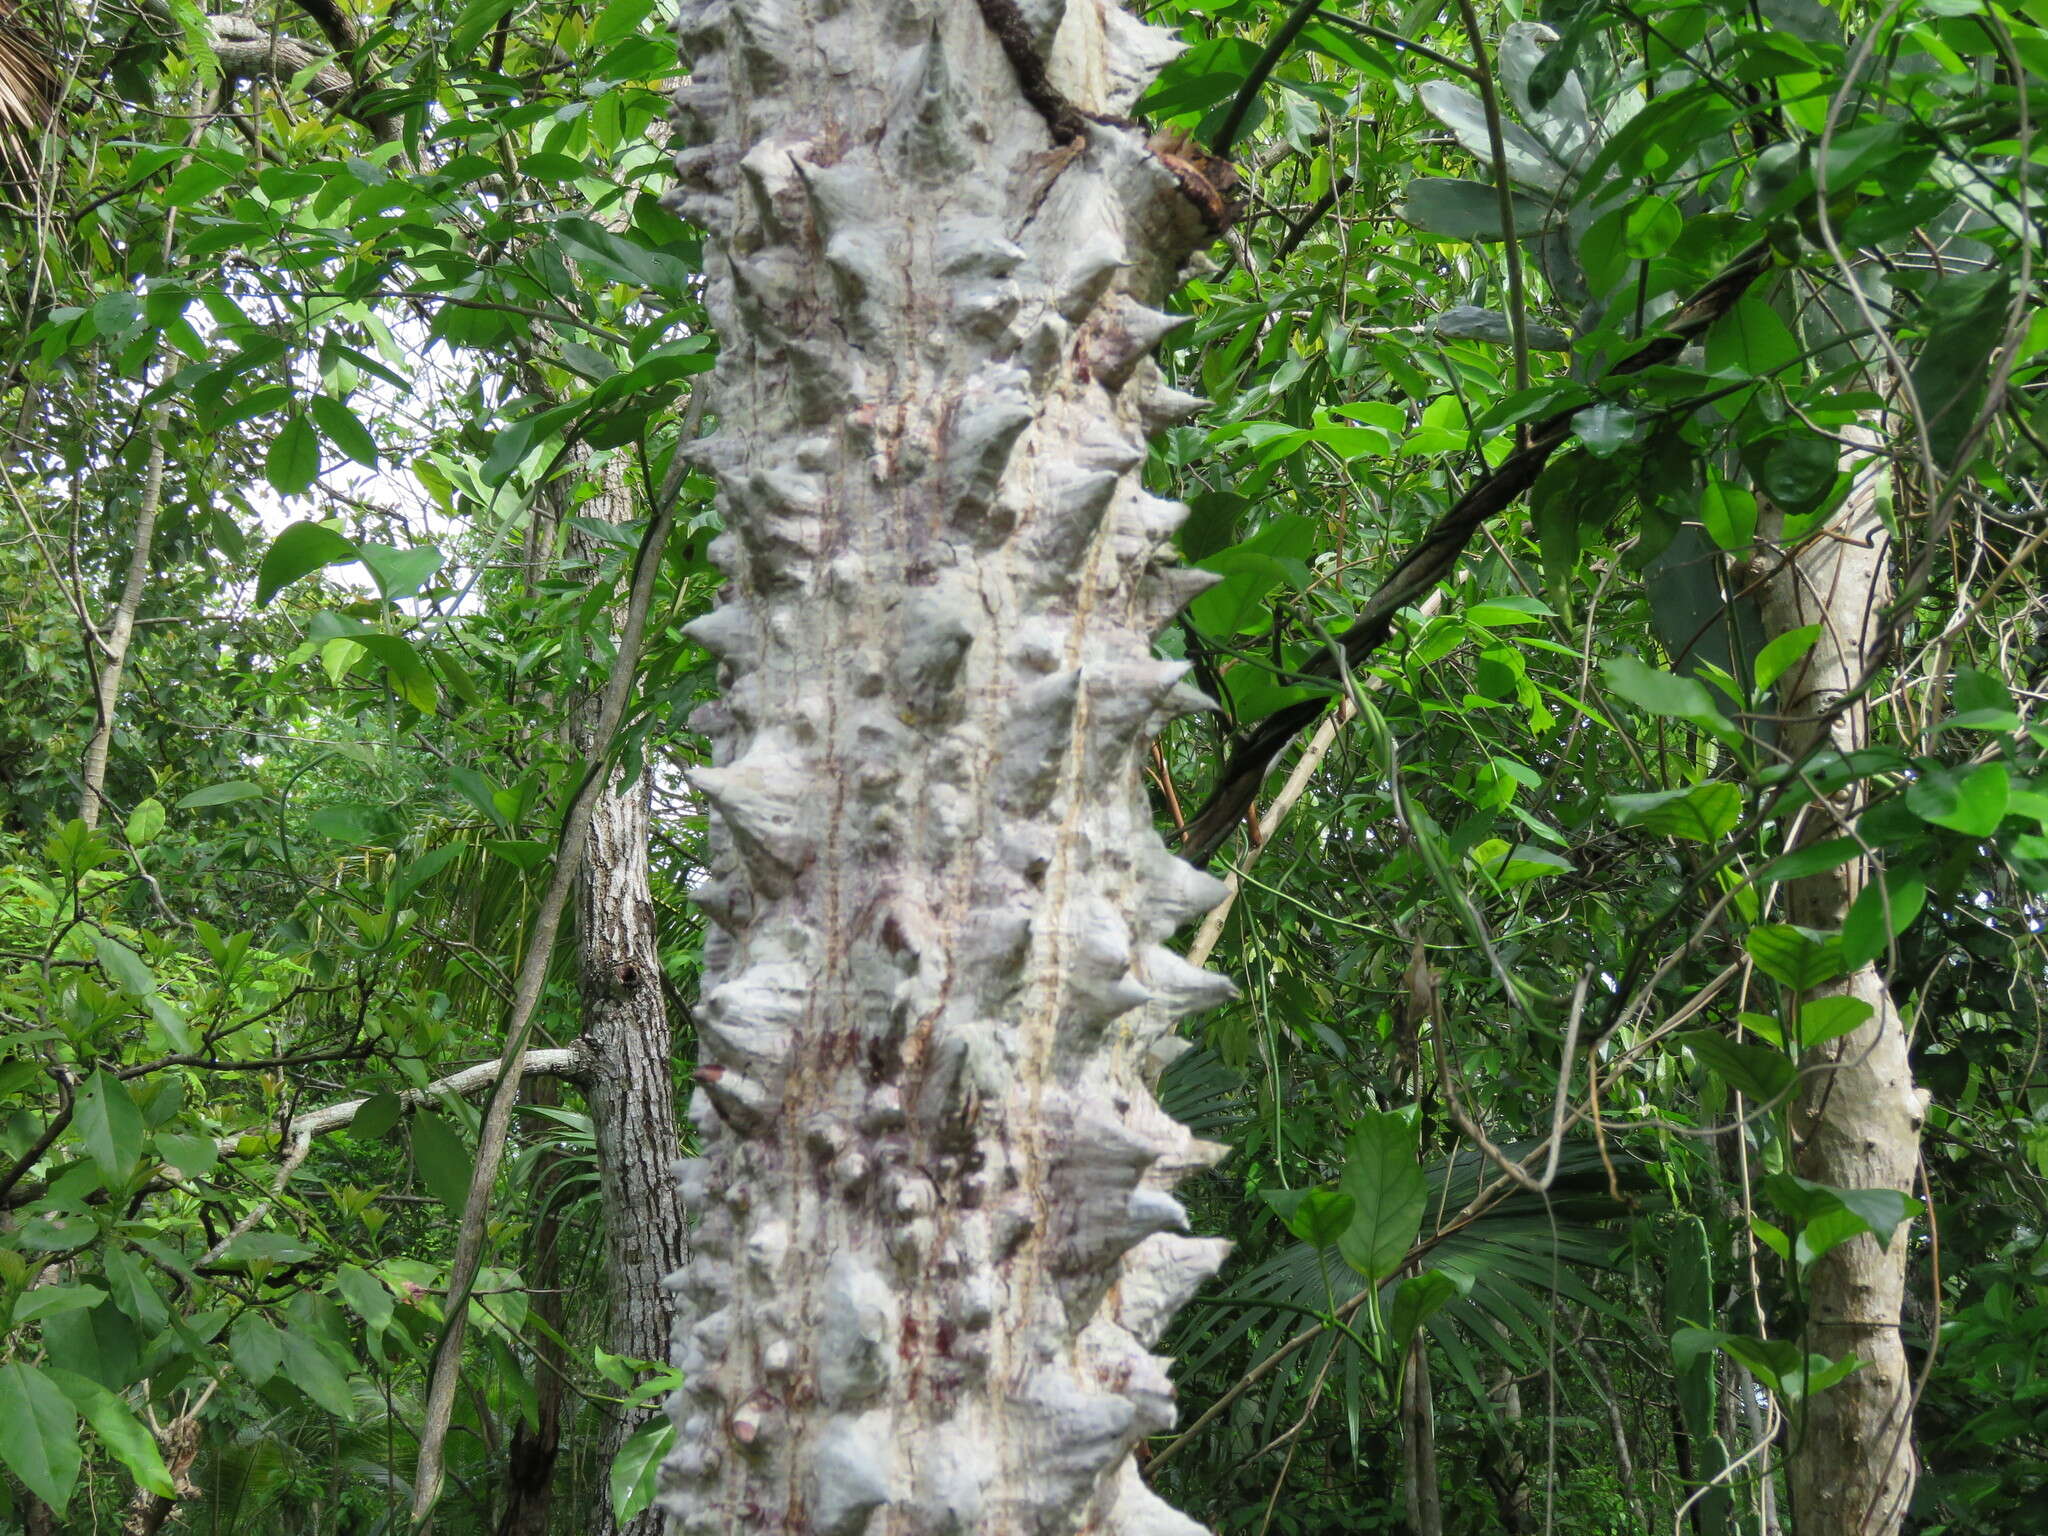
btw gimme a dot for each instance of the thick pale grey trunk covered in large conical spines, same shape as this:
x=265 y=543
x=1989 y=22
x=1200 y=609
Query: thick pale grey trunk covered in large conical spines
x=935 y=1232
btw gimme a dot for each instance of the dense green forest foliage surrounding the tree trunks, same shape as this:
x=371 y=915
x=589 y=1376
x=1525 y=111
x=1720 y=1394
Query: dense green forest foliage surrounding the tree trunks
x=347 y=355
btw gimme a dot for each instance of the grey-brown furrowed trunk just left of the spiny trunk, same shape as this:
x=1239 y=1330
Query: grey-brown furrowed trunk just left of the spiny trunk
x=630 y=1086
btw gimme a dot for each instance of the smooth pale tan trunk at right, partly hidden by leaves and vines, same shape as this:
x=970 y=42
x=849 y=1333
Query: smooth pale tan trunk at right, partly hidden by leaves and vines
x=1857 y=1115
